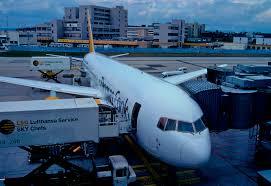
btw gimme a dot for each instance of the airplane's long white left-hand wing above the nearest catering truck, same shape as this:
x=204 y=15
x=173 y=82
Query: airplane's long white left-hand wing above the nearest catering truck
x=64 y=88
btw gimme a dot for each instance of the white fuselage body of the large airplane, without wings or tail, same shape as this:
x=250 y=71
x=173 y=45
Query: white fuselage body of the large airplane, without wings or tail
x=157 y=99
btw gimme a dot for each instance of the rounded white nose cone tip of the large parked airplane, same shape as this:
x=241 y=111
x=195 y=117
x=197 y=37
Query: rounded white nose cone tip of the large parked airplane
x=196 y=154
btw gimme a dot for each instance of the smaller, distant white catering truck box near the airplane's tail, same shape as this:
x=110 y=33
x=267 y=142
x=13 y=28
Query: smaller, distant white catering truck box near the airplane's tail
x=50 y=63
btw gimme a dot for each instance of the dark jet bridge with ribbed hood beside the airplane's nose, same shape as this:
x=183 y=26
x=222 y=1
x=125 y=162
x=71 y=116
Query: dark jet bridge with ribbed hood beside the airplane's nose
x=237 y=98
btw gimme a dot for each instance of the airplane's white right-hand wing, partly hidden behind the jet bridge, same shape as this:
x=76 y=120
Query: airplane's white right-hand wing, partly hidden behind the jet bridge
x=178 y=79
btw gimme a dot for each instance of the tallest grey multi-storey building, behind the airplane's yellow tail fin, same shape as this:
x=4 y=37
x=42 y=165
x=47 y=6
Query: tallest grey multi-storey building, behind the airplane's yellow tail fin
x=107 y=23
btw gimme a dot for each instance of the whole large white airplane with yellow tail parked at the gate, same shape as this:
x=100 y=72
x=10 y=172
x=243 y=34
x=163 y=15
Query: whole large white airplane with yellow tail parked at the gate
x=168 y=122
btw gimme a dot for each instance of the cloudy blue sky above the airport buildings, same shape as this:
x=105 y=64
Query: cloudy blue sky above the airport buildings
x=227 y=15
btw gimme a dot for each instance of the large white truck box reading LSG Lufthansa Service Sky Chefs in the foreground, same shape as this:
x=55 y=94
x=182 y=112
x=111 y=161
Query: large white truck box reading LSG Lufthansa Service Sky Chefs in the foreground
x=46 y=122
